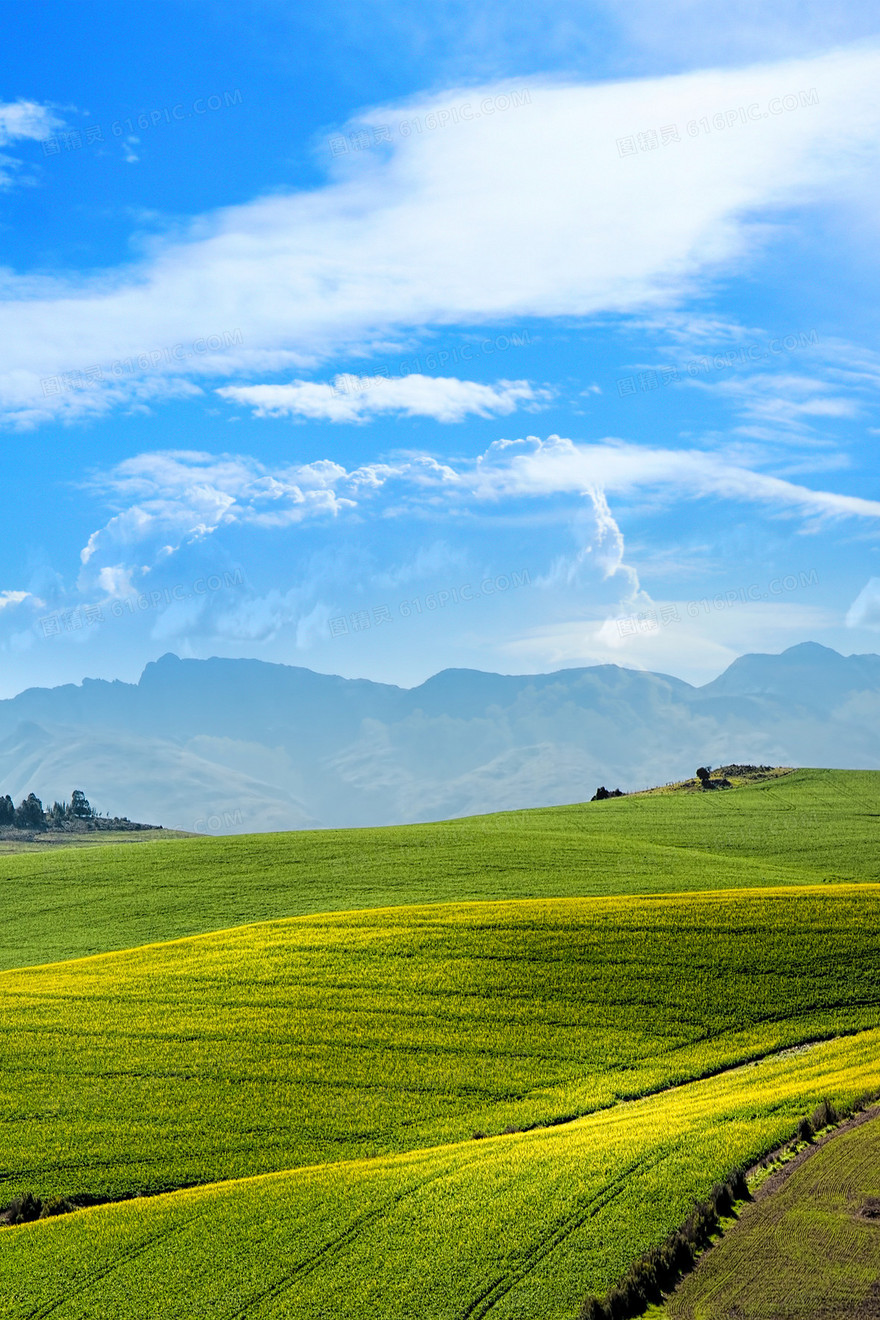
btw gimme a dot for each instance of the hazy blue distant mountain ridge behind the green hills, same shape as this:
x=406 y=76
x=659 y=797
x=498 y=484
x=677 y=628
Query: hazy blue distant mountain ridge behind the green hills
x=243 y=745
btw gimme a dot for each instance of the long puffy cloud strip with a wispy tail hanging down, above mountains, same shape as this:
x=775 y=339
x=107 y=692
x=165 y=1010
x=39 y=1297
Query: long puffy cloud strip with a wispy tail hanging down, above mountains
x=181 y=498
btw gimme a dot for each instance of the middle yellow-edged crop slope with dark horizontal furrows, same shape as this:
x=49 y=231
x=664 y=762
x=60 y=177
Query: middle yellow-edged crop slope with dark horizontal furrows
x=365 y=1033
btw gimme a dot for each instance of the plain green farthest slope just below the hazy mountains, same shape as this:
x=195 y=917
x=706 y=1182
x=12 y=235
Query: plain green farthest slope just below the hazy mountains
x=809 y=827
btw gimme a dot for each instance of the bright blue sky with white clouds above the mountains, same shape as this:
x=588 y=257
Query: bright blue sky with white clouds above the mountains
x=382 y=340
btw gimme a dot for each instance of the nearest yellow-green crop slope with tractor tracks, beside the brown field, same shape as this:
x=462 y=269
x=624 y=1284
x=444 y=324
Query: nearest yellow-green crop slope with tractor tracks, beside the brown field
x=519 y=1228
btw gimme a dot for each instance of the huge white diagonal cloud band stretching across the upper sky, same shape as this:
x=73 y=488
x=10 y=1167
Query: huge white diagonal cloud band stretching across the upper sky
x=530 y=213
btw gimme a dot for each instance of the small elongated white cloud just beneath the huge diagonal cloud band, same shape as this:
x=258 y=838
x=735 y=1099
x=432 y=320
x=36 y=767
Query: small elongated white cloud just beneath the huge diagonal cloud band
x=361 y=398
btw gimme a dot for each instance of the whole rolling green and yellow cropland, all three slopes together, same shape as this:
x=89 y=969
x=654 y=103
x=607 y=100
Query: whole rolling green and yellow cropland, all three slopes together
x=296 y=1038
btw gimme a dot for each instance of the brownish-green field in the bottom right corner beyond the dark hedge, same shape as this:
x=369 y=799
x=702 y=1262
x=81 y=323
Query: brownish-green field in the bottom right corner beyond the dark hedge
x=804 y=1252
